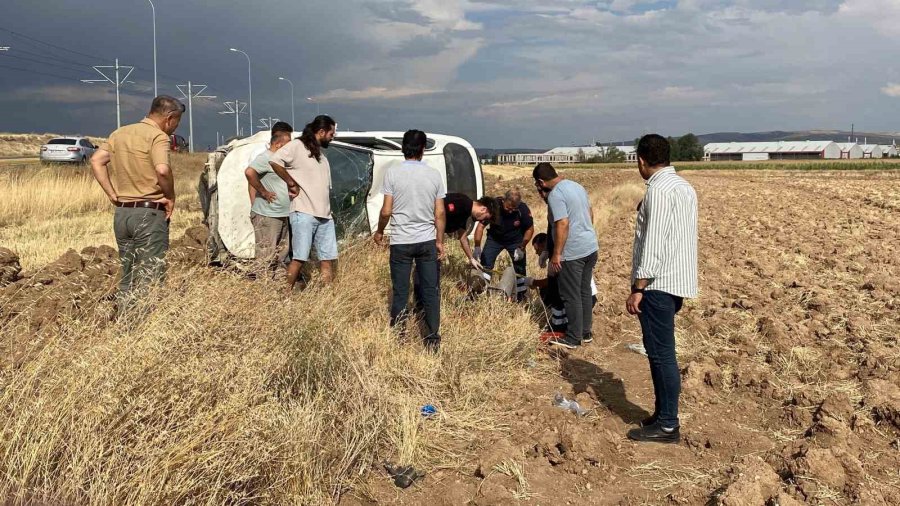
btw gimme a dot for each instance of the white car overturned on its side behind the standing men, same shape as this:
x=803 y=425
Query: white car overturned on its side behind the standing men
x=358 y=162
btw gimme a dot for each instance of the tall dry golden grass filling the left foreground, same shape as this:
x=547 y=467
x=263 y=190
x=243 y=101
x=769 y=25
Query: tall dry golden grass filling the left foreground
x=222 y=390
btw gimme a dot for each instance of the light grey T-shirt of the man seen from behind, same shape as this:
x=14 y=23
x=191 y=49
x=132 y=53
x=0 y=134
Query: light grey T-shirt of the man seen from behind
x=415 y=187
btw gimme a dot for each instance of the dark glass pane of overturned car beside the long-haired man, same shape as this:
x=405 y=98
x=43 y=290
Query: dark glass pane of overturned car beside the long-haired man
x=351 y=180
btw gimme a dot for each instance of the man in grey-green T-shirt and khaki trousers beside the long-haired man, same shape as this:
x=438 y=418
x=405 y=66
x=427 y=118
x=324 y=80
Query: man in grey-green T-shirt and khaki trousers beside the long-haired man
x=270 y=203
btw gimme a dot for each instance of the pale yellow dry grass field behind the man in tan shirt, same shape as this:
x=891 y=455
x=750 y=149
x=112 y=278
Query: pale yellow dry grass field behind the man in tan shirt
x=46 y=211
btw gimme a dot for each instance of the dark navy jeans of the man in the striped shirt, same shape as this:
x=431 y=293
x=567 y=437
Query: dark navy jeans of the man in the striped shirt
x=657 y=319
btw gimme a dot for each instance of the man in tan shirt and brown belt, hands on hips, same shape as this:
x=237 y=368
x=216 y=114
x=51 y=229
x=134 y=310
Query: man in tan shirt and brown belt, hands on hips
x=133 y=169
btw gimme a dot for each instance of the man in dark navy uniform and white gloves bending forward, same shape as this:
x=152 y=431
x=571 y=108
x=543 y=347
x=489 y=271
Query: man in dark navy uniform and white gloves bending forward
x=510 y=232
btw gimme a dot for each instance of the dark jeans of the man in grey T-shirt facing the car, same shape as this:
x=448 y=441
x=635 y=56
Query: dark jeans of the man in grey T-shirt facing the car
x=424 y=254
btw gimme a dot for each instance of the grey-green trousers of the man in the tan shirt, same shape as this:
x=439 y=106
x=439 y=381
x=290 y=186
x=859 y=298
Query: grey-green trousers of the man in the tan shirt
x=143 y=239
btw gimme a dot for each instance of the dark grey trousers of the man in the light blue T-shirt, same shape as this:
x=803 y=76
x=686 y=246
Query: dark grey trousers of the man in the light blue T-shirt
x=575 y=291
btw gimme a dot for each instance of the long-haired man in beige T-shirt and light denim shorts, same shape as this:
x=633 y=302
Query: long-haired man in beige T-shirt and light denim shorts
x=305 y=169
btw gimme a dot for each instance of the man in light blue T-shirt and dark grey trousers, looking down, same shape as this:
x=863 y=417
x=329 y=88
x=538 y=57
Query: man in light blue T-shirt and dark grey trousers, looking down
x=574 y=251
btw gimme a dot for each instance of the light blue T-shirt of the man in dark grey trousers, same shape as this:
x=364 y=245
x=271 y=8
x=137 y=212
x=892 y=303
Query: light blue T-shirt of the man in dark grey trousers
x=569 y=199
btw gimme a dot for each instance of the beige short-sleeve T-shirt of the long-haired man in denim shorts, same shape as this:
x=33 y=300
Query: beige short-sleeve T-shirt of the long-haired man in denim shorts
x=313 y=176
